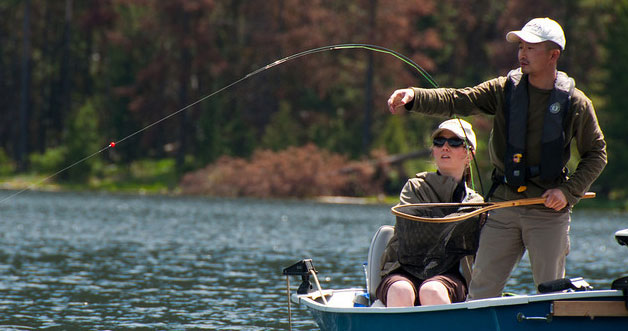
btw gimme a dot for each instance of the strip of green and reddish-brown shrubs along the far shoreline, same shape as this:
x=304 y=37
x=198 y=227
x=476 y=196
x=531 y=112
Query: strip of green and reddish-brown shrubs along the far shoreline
x=303 y=173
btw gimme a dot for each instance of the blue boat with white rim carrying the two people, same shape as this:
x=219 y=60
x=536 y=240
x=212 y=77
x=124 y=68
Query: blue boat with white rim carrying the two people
x=568 y=304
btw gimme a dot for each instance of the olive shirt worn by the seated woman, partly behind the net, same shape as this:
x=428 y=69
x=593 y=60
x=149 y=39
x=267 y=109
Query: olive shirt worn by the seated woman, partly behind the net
x=426 y=249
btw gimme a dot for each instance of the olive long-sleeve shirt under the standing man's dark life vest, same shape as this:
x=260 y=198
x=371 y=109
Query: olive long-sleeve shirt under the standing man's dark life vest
x=581 y=125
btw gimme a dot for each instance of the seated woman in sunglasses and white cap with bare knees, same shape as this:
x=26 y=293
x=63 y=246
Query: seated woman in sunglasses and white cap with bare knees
x=419 y=265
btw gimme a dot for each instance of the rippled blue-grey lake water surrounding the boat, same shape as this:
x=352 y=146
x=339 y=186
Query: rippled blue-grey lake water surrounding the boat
x=103 y=262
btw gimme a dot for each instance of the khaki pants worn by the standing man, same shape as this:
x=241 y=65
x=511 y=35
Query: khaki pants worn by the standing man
x=507 y=234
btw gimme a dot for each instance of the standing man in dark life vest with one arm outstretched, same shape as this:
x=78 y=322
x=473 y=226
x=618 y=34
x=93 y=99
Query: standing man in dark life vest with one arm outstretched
x=537 y=113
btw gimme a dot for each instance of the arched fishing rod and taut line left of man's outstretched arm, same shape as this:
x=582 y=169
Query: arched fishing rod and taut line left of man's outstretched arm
x=374 y=48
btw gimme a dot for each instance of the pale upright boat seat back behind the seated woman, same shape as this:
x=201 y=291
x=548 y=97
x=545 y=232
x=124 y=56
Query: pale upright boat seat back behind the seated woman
x=376 y=250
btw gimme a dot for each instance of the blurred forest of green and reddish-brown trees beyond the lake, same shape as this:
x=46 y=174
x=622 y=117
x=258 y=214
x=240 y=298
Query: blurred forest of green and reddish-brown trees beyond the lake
x=77 y=75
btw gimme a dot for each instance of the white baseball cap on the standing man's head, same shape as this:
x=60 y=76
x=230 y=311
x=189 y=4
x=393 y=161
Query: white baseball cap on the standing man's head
x=539 y=30
